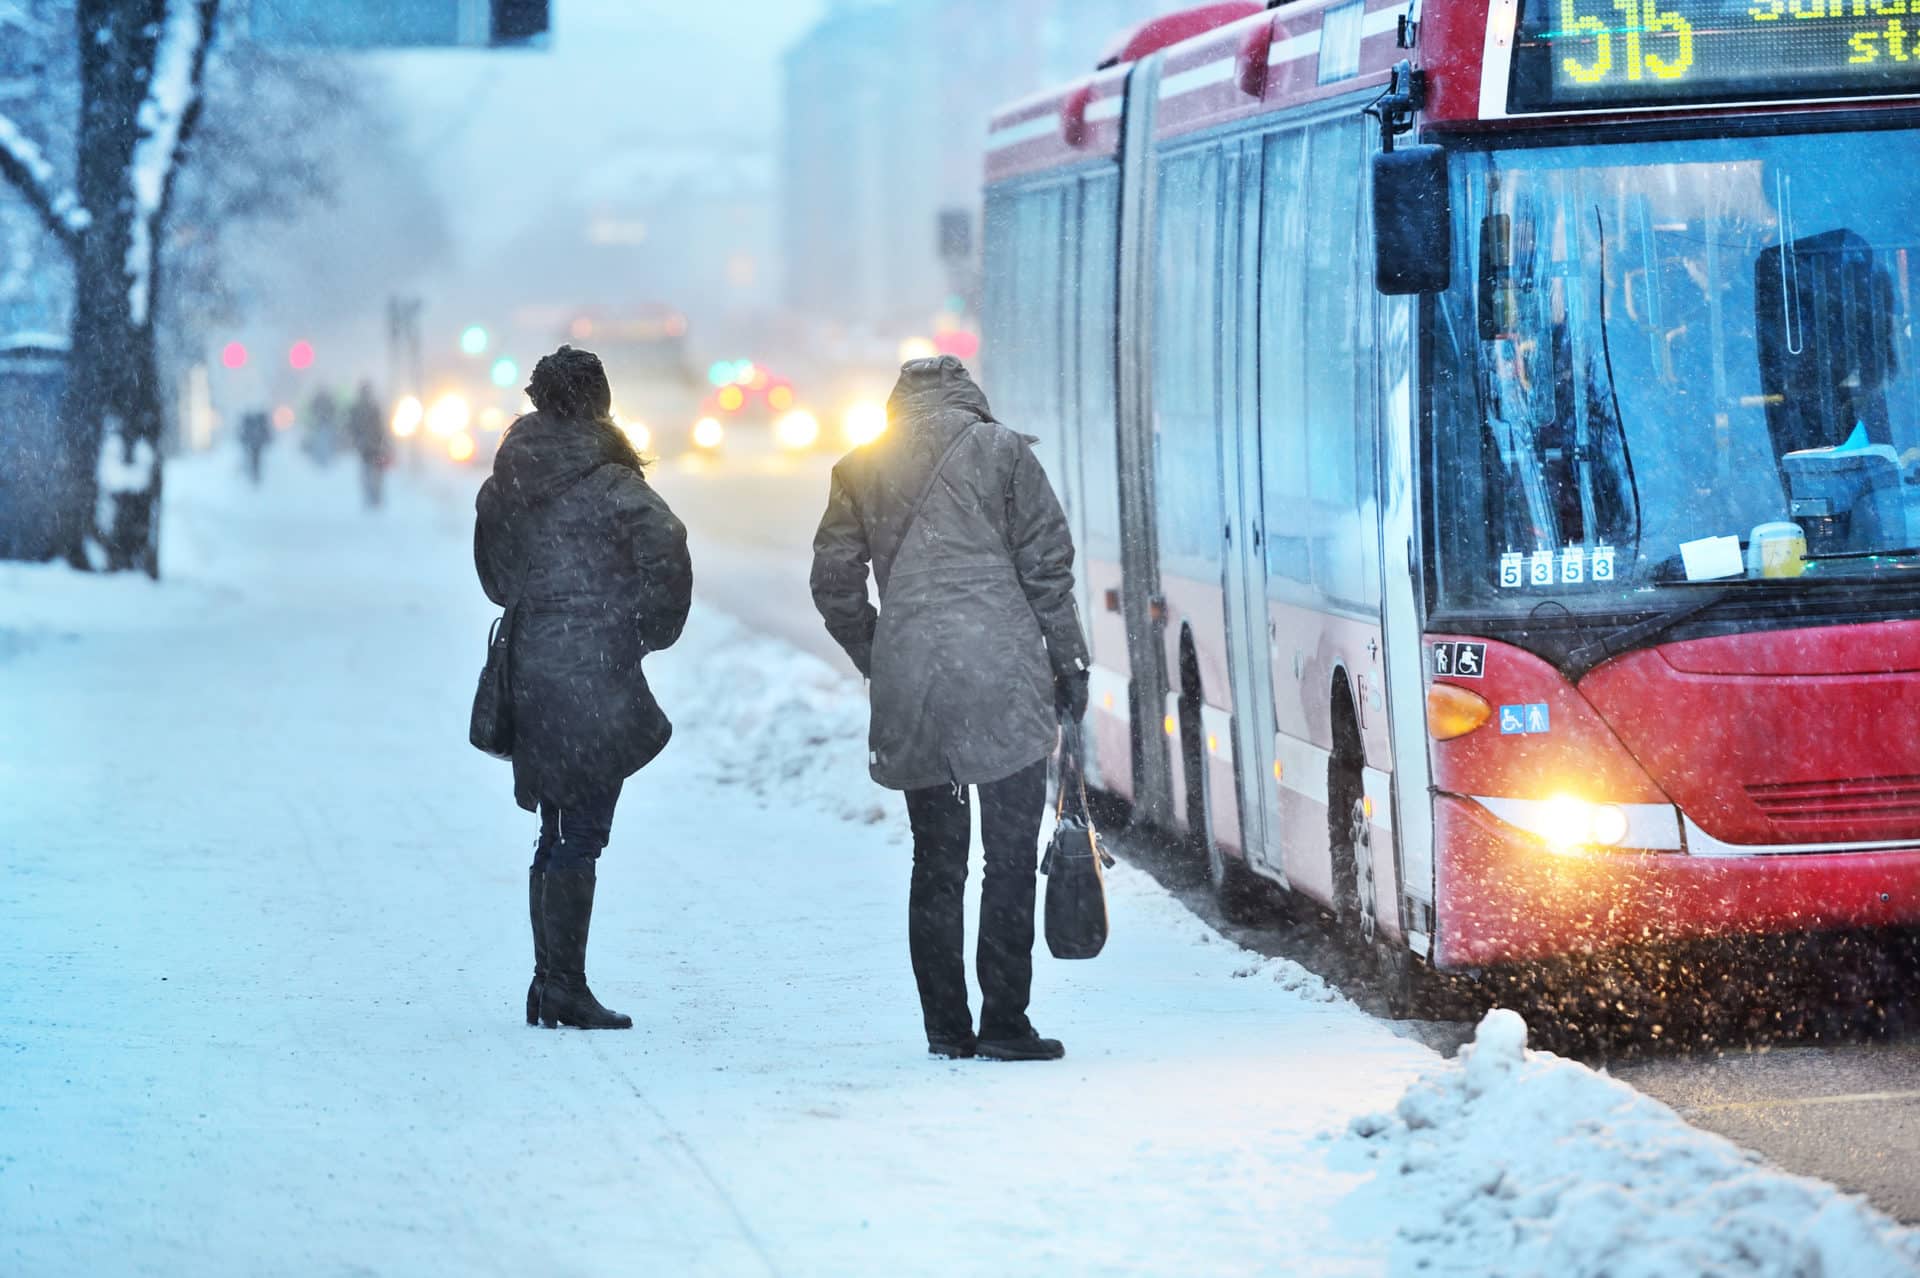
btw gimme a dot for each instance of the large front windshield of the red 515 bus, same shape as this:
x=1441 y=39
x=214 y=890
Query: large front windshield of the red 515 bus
x=1656 y=348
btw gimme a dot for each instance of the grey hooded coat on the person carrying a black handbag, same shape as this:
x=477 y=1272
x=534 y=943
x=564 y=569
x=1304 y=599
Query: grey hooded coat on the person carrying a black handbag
x=976 y=607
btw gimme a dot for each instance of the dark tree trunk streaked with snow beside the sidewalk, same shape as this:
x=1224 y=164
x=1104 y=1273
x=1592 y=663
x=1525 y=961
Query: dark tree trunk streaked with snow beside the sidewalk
x=141 y=68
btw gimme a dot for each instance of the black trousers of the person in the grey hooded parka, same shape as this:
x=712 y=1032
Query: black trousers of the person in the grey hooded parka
x=936 y=914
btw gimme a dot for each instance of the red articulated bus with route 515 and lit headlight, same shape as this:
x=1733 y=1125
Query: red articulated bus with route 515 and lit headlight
x=1493 y=437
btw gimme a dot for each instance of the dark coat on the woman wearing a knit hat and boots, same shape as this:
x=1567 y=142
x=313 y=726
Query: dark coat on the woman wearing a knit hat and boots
x=571 y=527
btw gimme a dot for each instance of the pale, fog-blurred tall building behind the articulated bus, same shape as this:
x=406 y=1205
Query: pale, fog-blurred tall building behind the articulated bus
x=886 y=108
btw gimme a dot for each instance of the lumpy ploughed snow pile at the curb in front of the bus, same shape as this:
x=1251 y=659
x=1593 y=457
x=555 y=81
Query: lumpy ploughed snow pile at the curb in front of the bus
x=1520 y=1162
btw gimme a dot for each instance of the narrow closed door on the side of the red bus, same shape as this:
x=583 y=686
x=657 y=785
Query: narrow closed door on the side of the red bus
x=1245 y=563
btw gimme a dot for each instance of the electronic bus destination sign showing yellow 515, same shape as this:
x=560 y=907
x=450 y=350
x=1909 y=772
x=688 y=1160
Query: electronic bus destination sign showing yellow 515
x=1583 y=55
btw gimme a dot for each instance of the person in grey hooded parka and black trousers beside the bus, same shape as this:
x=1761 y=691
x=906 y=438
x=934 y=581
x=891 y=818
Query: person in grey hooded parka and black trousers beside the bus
x=974 y=657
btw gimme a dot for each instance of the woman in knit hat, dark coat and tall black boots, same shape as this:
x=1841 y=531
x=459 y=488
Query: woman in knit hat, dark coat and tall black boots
x=594 y=573
